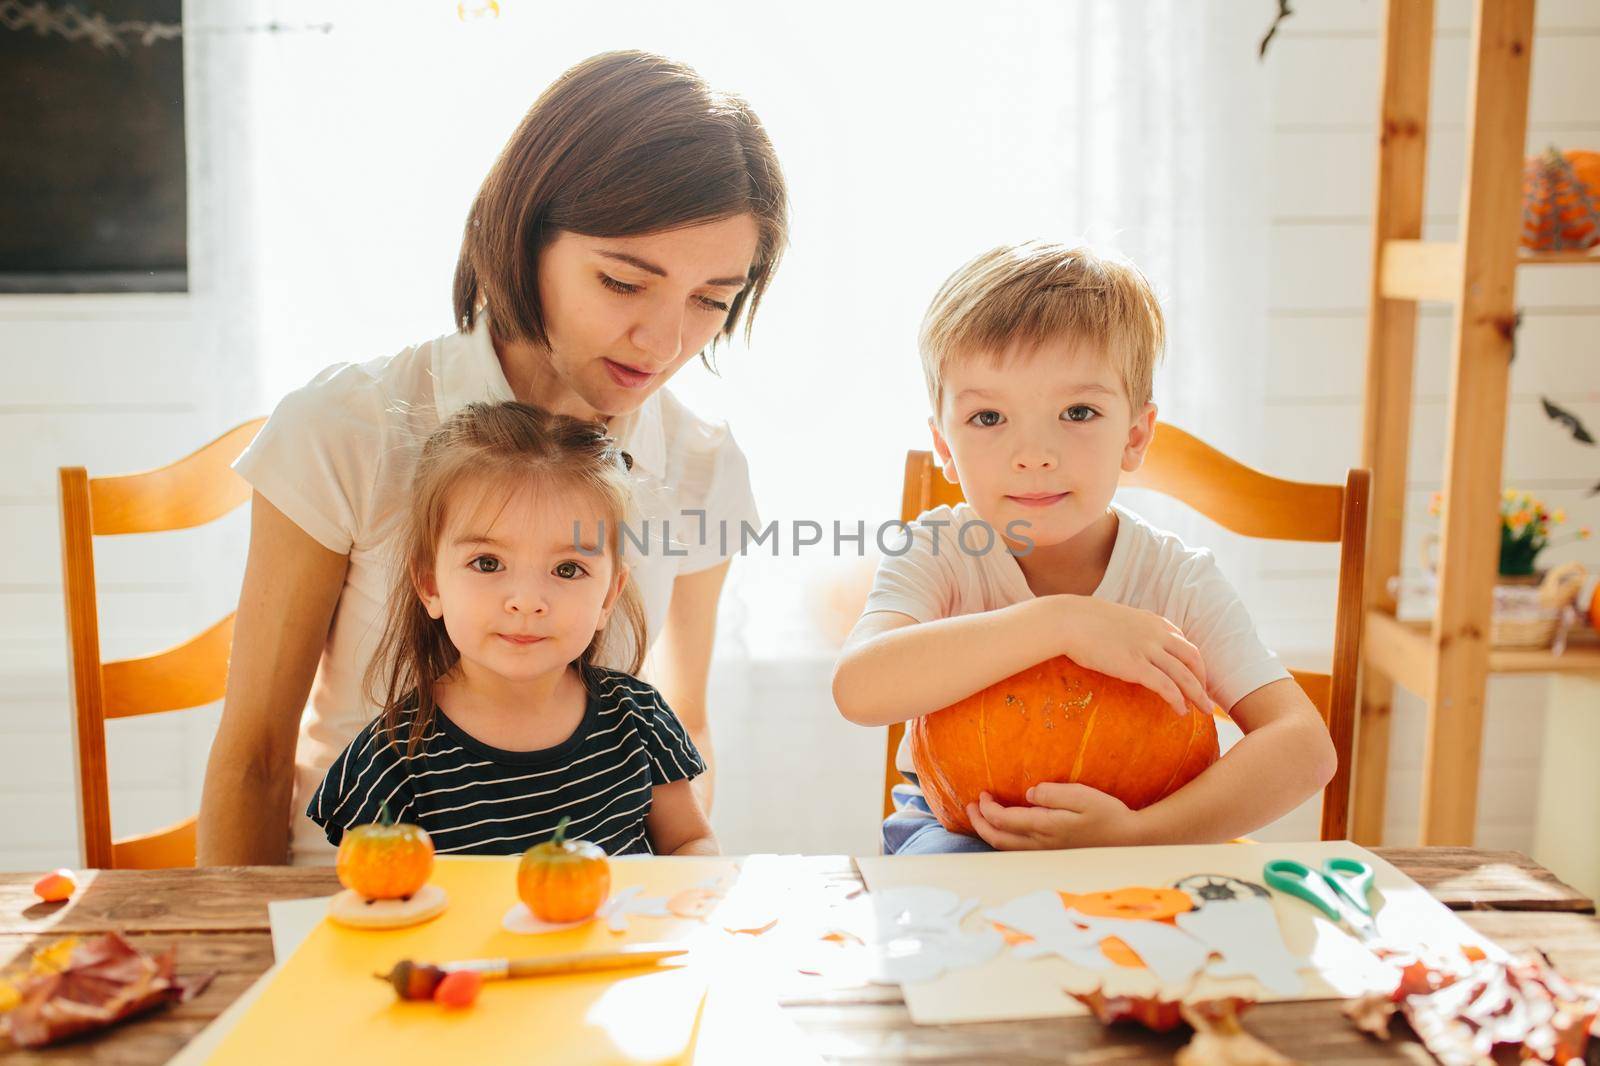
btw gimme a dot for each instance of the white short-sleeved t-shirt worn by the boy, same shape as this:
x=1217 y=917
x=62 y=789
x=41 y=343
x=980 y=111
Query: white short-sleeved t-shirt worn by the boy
x=1150 y=569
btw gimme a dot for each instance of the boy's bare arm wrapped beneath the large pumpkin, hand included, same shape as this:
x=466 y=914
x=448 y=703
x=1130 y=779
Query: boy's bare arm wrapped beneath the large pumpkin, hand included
x=1284 y=759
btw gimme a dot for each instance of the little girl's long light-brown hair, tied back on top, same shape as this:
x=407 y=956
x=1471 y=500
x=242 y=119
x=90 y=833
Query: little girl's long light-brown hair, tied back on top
x=495 y=449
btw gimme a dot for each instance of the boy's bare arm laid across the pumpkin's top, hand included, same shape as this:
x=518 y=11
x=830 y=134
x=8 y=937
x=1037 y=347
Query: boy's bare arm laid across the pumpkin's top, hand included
x=895 y=668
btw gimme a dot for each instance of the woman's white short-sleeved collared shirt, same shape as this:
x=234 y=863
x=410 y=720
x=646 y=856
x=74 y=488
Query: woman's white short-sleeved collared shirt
x=337 y=459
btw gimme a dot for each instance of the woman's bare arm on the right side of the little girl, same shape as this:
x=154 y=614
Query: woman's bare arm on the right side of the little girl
x=681 y=662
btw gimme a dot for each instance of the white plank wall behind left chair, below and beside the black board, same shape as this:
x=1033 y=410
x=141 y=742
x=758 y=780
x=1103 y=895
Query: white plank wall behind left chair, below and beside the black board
x=119 y=385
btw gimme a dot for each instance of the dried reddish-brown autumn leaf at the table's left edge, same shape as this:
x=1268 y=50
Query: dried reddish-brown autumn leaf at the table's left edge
x=105 y=982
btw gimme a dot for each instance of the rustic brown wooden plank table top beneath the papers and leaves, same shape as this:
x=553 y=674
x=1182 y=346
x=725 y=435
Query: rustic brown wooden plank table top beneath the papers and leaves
x=218 y=920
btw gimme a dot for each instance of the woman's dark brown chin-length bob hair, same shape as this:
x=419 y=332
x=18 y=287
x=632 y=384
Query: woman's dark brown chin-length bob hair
x=625 y=143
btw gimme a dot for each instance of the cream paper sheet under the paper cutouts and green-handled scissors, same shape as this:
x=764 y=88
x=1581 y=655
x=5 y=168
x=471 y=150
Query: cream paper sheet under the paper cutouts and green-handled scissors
x=1010 y=988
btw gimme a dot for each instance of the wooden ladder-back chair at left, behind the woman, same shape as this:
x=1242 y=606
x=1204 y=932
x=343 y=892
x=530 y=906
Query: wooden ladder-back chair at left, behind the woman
x=178 y=497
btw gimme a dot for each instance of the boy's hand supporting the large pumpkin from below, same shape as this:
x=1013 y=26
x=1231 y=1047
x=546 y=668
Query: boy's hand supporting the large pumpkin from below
x=1062 y=817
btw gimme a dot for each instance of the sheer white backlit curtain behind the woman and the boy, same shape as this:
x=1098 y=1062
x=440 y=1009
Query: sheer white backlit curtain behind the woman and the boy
x=913 y=137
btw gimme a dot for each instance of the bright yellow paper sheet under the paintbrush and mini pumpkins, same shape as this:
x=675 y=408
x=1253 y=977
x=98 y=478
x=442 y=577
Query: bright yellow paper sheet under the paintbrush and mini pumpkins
x=326 y=1006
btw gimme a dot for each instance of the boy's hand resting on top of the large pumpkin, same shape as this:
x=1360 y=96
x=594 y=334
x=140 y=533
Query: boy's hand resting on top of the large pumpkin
x=1135 y=646
